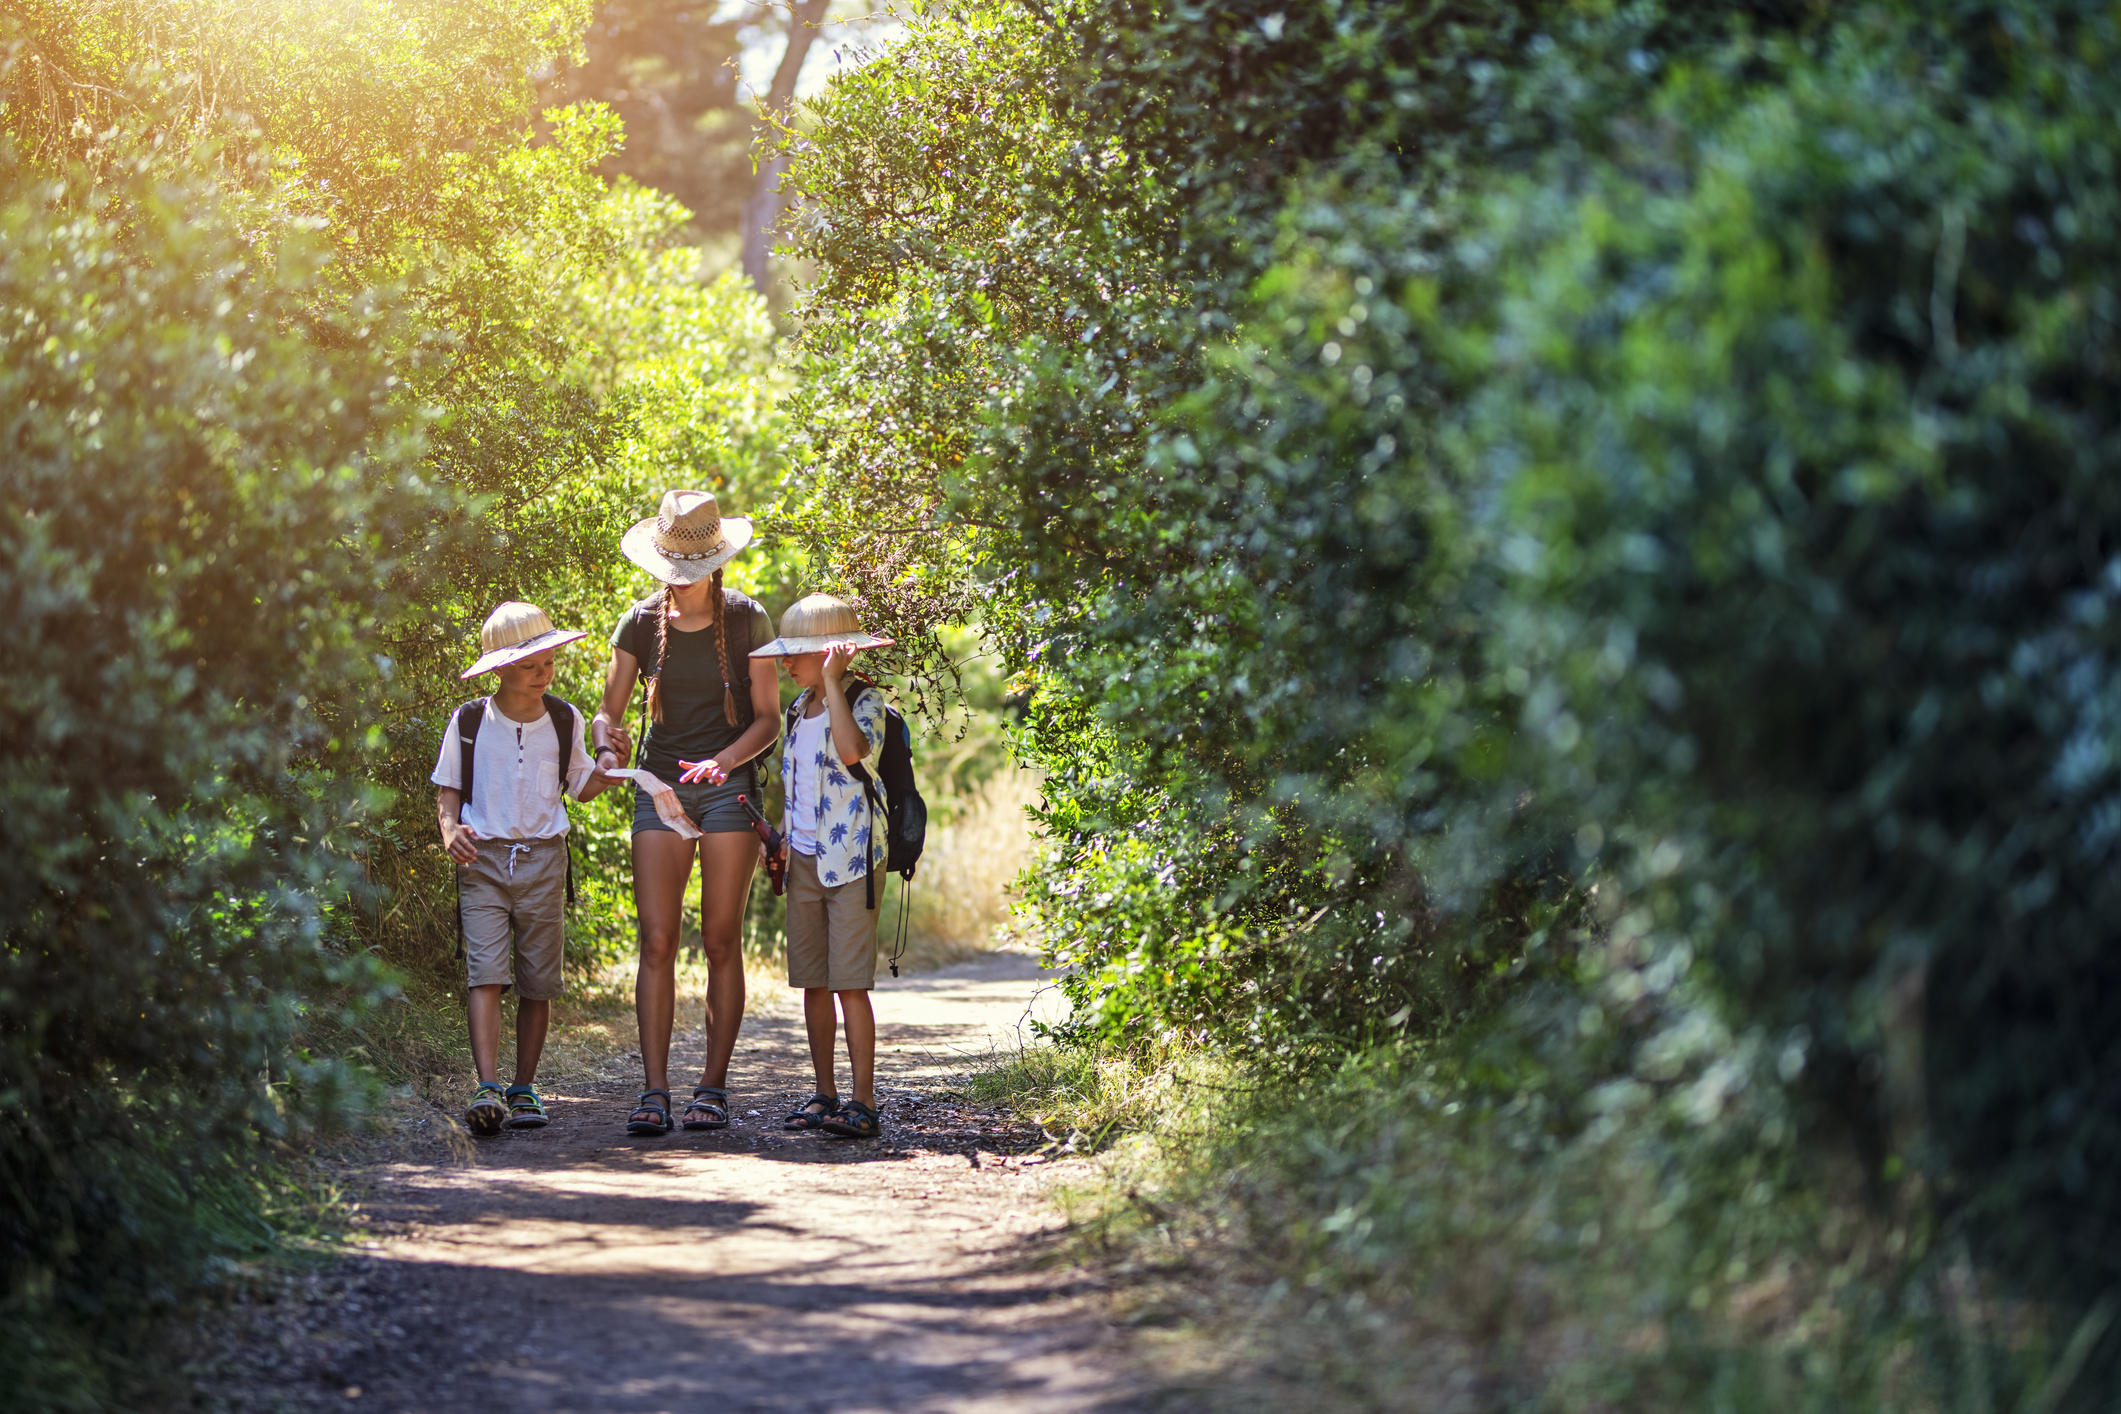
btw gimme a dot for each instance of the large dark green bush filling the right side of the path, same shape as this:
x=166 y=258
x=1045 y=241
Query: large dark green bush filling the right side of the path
x=1577 y=533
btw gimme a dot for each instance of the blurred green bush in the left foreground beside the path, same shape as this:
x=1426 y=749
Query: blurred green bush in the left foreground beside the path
x=211 y=506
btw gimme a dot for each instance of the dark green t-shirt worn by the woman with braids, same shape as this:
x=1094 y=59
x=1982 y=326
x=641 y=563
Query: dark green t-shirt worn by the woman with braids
x=695 y=726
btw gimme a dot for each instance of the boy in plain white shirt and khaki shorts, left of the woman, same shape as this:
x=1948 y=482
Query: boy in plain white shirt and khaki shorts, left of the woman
x=525 y=752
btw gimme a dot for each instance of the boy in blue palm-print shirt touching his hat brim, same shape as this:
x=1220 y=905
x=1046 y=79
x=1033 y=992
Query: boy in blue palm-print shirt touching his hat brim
x=830 y=851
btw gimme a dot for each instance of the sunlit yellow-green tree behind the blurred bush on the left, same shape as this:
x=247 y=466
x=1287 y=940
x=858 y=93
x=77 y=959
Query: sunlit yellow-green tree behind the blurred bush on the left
x=533 y=294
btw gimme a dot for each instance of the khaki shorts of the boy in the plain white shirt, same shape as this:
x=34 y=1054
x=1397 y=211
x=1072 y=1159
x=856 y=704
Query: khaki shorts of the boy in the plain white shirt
x=516 y=894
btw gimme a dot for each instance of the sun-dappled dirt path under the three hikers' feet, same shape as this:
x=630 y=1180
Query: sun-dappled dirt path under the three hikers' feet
x=589 y=1273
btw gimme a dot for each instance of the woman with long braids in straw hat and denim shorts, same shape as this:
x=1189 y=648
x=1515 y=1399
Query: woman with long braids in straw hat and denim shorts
x=712 y=711
